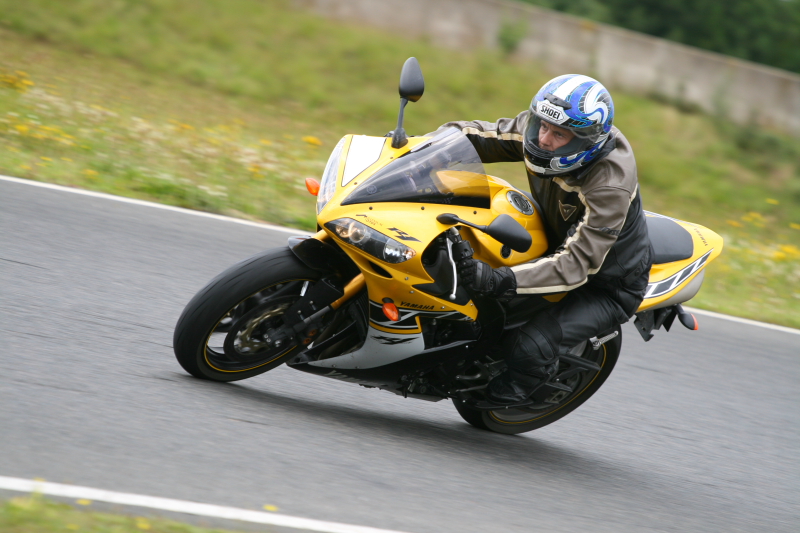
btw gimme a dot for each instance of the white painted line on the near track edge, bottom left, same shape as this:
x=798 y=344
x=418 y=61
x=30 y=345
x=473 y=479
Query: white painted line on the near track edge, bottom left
x=180 y=506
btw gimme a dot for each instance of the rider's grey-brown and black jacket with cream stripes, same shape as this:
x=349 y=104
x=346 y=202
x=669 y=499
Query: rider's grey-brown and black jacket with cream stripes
x=594 y=218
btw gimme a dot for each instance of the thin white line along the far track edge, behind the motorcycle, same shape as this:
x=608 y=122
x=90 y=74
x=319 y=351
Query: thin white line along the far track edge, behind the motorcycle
x=297 y=231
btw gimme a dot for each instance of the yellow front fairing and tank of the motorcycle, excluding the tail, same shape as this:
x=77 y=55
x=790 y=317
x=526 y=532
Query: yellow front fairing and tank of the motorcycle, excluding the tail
x=415 y=224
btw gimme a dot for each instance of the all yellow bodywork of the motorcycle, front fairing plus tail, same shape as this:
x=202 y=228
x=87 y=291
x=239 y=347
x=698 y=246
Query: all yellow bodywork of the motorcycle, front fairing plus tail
x=416 y=226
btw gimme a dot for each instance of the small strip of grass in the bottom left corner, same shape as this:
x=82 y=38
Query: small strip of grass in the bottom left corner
x=35 y=514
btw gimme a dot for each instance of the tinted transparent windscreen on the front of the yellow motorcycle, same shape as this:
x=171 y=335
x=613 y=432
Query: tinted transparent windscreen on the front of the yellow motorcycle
x=444 y=170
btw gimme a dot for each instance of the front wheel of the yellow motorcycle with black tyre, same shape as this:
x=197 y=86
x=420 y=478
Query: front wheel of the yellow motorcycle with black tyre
x=219 y=335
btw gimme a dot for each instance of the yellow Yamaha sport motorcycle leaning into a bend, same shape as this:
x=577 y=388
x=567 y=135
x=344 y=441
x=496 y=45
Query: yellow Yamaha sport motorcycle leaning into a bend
x=373 y=298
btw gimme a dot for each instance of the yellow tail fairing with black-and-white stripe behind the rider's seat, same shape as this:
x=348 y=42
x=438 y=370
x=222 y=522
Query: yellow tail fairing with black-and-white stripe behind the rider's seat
x=667 y=280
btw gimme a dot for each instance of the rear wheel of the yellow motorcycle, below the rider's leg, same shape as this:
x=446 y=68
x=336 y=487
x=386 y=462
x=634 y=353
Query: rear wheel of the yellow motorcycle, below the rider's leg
x=583 y=382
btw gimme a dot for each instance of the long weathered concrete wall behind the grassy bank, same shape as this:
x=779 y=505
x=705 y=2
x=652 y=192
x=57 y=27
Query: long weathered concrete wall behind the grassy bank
x=634 y=62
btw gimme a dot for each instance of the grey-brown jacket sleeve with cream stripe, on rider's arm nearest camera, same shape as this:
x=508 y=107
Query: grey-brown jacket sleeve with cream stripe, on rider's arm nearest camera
x=584 y=250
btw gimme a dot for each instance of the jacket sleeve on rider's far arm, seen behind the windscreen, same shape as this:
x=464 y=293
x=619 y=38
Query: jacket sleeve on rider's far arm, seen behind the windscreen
x=495 y=142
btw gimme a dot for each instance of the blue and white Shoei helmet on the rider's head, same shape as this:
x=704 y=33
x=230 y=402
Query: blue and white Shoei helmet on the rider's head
x=575 y=102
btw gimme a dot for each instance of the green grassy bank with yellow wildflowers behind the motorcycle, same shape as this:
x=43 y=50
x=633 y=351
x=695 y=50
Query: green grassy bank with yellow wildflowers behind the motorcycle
x=227 y=106
